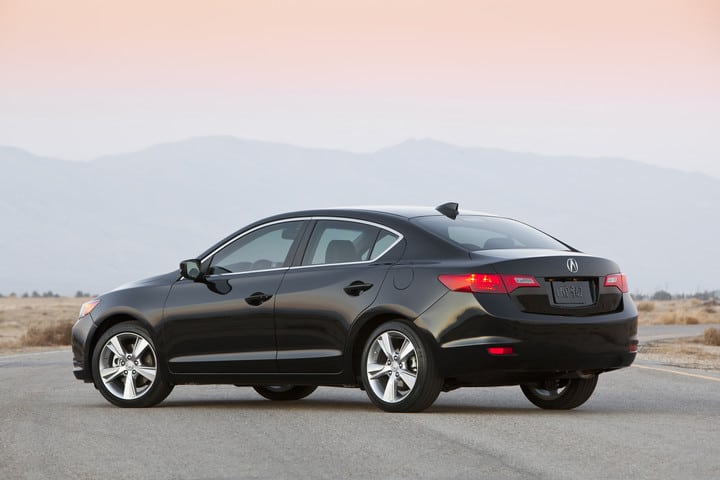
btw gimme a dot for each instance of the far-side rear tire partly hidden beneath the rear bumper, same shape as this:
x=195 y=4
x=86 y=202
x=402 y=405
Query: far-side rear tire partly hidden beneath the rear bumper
x=560 y=394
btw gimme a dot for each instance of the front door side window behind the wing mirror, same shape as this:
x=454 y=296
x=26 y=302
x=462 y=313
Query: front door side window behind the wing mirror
x=264 y=248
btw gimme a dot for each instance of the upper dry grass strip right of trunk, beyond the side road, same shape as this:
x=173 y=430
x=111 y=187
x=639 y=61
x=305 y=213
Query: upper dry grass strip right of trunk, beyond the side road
x=677 y=312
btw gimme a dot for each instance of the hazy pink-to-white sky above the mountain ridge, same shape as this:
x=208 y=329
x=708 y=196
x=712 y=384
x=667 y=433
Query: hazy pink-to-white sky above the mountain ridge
x=637 y=79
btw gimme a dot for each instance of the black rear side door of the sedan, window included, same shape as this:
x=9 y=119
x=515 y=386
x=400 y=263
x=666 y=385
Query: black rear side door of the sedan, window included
x=340 y=275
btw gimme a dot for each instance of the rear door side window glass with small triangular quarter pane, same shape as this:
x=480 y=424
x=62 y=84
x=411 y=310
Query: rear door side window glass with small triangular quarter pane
x=336 y=241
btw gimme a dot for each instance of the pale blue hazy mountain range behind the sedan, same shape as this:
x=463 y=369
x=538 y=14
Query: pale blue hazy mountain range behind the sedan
x=70 y=226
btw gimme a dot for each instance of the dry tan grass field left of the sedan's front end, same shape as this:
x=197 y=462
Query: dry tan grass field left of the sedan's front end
x=30 y=322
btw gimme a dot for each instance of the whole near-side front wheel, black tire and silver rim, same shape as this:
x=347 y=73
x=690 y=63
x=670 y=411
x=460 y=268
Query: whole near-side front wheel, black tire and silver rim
x=125 y=367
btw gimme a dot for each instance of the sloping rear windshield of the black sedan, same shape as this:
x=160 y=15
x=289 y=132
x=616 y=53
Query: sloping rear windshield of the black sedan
x=488 y=233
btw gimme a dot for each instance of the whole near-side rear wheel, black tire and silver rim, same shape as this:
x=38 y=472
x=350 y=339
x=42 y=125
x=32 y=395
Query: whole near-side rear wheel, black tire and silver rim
x=398 y=370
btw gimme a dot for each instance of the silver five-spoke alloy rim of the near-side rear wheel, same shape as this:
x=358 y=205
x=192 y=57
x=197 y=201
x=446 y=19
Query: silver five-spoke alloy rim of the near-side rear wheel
x=392 y=366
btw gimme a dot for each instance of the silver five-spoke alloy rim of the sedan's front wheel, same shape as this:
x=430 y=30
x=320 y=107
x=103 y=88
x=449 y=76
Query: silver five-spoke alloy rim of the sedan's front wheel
x=127 y=365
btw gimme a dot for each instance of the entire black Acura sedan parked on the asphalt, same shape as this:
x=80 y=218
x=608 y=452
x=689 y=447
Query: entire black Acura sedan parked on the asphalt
x=402 y=302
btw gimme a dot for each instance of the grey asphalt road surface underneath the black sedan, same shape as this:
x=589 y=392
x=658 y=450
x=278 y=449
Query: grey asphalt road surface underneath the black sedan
x=644 y=422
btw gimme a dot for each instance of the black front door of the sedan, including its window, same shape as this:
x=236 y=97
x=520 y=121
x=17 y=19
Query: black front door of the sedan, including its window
x=224 y=324
